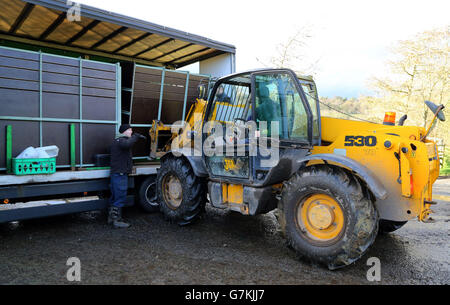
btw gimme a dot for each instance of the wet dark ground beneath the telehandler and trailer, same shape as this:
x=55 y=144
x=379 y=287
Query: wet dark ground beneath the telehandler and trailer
x=222 y=248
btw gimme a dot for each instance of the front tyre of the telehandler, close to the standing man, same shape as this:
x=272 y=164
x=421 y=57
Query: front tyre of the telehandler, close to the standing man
x=193 y=191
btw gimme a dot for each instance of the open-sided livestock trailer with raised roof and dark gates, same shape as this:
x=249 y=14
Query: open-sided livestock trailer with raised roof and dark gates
x=71 y=84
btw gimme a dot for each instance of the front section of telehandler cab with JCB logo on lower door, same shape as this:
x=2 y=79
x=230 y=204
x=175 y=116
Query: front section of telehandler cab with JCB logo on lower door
x=225 y=142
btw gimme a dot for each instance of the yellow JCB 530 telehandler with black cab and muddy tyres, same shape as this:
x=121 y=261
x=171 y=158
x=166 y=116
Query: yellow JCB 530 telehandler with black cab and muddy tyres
x=259 y=143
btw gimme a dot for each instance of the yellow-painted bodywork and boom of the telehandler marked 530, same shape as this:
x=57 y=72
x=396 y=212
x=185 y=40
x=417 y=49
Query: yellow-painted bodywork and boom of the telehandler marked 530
x=407 y=166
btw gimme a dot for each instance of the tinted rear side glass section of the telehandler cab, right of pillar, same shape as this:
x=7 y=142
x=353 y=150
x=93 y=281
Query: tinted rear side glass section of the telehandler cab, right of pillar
x=284 y=125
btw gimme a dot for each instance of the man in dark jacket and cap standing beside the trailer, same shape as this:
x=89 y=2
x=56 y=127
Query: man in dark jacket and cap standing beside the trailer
x=121 y=167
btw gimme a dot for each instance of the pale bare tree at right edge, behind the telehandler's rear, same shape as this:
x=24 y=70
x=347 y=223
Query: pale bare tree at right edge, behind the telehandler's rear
x=419 y=71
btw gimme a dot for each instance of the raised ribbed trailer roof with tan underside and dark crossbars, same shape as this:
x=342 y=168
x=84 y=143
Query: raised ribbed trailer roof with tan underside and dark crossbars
x=103 y=33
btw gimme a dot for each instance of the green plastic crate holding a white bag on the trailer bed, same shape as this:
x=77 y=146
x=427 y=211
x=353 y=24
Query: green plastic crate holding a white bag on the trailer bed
x=21 y=167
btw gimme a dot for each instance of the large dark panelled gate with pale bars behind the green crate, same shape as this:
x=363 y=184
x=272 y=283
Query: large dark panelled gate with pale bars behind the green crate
x=41 y=95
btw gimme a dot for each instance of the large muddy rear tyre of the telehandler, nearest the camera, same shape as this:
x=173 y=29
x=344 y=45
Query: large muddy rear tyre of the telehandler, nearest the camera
x=359 y=216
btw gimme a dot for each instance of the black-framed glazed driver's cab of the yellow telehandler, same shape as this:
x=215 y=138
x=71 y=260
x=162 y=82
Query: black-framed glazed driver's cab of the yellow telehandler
x=270 y=114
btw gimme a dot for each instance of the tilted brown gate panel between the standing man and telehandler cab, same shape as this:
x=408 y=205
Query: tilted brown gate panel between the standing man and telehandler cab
x=158 y=94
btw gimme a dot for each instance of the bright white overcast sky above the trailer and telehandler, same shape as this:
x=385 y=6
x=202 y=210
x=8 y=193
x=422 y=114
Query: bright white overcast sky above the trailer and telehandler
x=350 y=39
